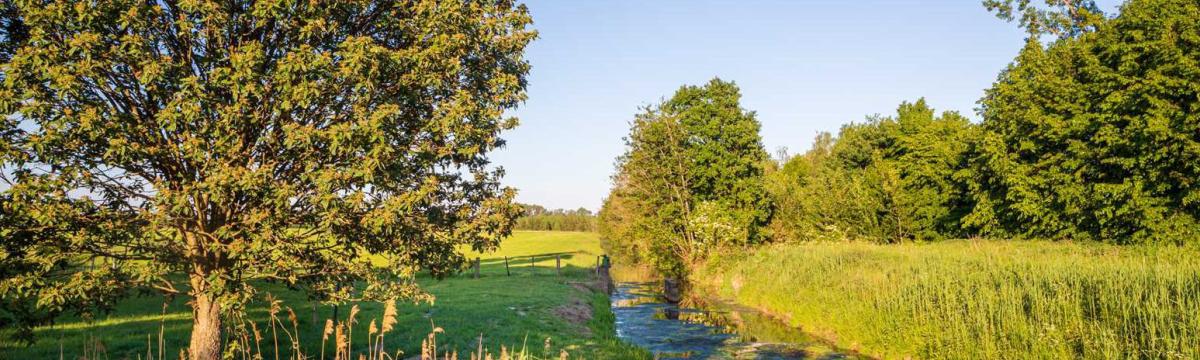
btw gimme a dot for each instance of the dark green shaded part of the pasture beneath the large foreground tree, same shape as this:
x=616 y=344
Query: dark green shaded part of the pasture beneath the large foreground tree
x=505 y=309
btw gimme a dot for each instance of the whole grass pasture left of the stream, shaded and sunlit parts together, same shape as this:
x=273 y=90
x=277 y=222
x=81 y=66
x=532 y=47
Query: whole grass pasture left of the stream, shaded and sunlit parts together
x=518 y=311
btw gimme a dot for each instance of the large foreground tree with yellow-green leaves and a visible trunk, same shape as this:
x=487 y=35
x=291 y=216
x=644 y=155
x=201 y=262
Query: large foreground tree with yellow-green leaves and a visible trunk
x=230 y=142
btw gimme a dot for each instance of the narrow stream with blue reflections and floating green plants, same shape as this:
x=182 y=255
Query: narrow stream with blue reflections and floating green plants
x=707 y=329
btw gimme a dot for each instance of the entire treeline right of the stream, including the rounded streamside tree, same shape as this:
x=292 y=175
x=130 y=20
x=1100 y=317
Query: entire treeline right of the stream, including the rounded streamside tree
x=1091 y=134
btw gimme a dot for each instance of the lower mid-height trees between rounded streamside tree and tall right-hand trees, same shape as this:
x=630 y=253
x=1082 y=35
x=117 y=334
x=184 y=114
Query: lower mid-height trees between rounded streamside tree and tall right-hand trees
x=895 y=179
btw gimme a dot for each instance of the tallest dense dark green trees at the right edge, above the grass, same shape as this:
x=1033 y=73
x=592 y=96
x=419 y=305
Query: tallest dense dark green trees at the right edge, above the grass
x=1097 y=137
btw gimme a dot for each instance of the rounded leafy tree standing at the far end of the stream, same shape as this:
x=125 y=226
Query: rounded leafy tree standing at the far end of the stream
x=689 y=181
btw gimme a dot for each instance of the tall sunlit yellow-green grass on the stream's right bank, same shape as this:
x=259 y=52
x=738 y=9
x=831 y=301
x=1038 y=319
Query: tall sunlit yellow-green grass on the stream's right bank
x=977 y=299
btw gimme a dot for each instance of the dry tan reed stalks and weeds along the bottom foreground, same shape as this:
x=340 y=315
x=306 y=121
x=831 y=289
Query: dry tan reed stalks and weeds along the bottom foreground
x=279 y=339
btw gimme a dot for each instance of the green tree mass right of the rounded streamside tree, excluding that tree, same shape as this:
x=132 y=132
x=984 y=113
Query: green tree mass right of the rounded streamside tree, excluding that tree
x=1093 y=136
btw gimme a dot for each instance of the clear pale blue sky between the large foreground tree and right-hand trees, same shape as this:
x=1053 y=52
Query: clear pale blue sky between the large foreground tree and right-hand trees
x=803 y=67
